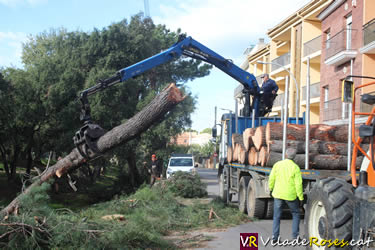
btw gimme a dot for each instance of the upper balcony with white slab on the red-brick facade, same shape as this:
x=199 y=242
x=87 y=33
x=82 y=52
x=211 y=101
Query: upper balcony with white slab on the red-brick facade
x=339 y=48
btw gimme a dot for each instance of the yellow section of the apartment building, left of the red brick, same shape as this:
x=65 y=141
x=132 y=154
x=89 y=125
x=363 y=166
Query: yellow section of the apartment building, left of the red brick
x=294 y=42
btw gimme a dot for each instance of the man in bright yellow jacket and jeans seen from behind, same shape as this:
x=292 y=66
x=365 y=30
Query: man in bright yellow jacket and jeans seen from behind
x=285 y=183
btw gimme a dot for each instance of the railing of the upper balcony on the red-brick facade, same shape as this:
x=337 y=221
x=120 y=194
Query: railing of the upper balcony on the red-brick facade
x=342 y=41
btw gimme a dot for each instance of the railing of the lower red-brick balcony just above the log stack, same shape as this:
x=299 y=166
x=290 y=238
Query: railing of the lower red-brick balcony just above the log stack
x=335 y=110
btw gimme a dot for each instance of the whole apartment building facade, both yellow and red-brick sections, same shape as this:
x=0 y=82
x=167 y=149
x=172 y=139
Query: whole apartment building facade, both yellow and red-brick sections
x=321 y=44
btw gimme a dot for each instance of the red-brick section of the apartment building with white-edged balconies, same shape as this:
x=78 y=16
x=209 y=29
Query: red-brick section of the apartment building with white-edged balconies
x=342 y=23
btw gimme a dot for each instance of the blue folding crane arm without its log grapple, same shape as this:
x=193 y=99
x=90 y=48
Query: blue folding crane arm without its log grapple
x=188 y=47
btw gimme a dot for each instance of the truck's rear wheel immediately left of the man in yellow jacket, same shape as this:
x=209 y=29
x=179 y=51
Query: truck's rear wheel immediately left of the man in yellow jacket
x=255 y=206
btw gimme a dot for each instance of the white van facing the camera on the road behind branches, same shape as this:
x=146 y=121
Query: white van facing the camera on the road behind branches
x=180 y=162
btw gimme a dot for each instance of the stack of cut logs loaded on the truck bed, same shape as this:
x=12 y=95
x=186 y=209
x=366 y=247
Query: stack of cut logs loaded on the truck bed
x=263 y=146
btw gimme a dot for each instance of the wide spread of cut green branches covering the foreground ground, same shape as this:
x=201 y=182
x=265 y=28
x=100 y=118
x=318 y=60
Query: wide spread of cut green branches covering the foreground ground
x=149 y=215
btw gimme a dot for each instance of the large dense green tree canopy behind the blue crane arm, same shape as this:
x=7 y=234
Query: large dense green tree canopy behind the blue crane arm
x=40 y=112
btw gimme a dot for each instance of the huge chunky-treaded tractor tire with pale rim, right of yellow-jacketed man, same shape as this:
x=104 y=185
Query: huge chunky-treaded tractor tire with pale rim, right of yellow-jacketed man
x=329 y=210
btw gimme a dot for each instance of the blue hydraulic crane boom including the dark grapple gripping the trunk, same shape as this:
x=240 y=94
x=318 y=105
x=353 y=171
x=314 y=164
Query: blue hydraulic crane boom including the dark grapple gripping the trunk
x=186 y=46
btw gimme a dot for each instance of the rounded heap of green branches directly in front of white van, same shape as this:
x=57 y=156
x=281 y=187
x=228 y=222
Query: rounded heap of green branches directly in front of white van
x=187 y=185
